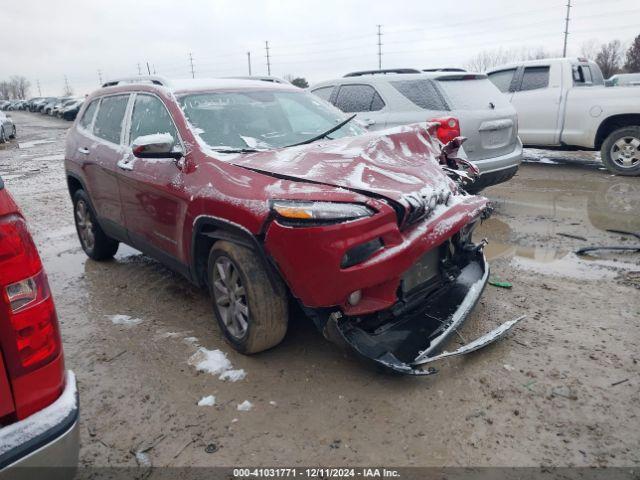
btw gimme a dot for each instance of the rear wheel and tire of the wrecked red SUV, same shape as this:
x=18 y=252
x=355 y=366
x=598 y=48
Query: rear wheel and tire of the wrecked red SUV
x=95 y=243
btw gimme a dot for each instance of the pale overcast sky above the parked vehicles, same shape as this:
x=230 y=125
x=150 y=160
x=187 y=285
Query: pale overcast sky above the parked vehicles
x=46 y=40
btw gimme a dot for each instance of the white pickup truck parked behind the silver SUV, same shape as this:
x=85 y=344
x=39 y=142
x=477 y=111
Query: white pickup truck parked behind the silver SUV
x=563 y=102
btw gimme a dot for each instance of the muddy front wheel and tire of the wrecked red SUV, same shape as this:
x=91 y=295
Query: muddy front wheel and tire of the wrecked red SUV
x=266 y=307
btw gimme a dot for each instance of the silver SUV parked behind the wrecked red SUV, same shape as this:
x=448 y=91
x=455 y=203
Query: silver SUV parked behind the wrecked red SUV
x=389 y=98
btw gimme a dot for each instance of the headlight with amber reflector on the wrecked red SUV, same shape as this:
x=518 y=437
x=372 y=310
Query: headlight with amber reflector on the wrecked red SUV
x=319 y=212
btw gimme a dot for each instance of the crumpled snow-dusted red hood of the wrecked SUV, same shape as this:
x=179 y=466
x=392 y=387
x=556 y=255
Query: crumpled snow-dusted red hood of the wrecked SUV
x=396 y=163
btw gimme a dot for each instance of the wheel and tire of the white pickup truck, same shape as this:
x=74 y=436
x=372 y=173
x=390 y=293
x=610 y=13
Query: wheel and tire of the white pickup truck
x=621 y=151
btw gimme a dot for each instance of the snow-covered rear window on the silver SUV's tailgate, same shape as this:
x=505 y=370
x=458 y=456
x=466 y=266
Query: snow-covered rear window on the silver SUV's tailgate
x=472 y=93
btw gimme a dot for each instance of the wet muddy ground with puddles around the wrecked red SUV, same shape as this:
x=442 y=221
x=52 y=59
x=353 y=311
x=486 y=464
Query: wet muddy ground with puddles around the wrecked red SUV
x=562 y=389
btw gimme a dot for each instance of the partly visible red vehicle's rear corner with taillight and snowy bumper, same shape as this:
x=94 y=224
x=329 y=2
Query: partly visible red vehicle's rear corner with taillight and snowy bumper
x=38 y=399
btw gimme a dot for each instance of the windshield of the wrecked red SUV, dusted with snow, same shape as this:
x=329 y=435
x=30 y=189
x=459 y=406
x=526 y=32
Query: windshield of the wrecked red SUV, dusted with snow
x=262 y=119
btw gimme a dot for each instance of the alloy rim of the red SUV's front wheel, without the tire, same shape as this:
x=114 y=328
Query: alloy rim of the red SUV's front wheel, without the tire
x=230 y=297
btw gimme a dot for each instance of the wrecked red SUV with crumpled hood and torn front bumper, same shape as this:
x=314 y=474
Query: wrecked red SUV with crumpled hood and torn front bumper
x=262 y=193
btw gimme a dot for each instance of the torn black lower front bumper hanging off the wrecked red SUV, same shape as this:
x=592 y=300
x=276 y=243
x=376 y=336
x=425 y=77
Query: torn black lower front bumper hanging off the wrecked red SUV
x=435 y=297
